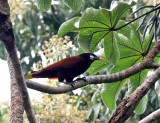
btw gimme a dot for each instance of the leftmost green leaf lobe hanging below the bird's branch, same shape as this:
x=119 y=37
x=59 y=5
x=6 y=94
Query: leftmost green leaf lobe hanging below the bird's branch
x=110 y=93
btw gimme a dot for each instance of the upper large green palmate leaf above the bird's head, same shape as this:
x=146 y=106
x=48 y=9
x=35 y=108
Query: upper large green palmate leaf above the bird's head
x=98 y=24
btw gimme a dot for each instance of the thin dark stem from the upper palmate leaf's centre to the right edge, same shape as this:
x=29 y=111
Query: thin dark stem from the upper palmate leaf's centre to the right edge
x=115 y=29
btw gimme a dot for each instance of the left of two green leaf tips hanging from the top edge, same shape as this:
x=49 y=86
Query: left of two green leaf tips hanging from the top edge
x=43 y=5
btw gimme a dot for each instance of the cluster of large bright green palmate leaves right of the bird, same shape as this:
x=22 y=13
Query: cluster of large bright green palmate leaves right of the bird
x=97 y=25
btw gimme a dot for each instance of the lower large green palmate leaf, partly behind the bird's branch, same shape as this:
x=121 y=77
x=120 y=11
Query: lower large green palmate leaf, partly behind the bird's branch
x=130 y=53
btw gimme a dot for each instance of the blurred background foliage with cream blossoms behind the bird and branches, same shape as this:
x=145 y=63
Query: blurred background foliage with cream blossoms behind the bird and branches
x=34 y=31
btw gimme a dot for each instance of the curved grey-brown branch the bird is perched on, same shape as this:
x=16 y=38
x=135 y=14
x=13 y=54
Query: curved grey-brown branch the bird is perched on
x=98 y=79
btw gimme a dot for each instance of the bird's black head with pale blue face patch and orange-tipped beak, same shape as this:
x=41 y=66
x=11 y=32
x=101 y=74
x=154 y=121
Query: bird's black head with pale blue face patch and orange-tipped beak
x=91 y=56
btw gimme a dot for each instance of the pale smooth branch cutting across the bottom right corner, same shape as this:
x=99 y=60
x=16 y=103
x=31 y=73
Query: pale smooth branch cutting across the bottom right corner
x=153 y=117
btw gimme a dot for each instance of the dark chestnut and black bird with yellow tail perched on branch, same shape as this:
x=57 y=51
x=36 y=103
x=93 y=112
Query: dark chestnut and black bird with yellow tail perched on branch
x=66 y=69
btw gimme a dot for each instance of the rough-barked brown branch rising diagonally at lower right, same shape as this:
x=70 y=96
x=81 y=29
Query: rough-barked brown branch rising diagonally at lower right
x=128 y=105
